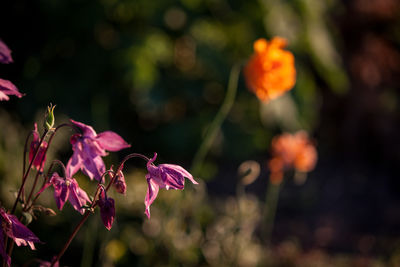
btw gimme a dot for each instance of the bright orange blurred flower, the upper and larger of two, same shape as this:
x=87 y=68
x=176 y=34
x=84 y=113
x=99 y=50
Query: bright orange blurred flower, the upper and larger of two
x=270 y=72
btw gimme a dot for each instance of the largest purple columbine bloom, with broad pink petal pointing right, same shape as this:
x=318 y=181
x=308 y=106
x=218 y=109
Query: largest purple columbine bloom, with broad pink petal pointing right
x=89 y=147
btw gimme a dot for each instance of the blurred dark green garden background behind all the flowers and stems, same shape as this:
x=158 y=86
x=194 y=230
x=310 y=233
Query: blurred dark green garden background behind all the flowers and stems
x=156 y=73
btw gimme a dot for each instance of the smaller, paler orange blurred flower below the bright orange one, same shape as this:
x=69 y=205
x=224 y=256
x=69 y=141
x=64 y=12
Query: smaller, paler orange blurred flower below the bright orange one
x=291 y=151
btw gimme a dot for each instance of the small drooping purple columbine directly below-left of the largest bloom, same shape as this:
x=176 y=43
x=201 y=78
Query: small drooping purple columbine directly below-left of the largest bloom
x=67 y=189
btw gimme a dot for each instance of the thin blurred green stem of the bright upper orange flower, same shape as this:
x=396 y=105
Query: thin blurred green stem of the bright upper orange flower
x=218 y=120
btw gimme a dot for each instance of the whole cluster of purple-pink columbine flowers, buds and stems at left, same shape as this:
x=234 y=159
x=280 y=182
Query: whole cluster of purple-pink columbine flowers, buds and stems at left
x=88 y=148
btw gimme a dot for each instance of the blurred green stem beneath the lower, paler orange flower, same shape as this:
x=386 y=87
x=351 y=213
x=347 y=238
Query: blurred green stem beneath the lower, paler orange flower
x=271 y=203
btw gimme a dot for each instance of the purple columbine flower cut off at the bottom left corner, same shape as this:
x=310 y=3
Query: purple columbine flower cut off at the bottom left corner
x=14 y=229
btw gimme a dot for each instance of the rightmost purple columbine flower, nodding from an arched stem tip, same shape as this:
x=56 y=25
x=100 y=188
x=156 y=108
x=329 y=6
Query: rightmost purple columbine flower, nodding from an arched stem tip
x=168 y=176
